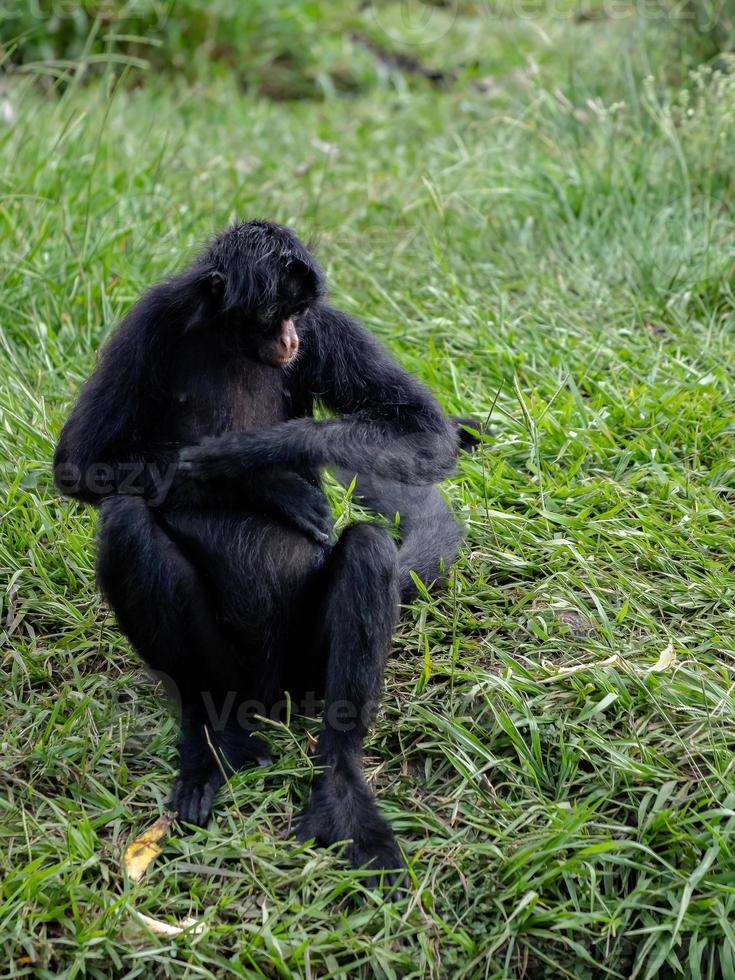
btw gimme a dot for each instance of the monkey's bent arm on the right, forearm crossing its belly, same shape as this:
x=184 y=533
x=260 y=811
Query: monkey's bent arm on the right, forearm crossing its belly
x=390 y=424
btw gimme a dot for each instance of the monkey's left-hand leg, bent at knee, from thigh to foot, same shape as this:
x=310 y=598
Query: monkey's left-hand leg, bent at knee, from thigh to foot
x=161 y=605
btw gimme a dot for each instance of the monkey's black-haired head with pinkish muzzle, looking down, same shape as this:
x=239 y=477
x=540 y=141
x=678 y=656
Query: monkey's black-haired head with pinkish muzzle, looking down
x=260 y=279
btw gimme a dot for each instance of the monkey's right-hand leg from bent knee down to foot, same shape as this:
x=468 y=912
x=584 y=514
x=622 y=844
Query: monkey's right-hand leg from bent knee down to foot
x=358 y=616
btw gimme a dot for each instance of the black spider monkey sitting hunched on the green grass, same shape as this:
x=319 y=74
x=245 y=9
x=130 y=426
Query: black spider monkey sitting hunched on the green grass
x=195 y=437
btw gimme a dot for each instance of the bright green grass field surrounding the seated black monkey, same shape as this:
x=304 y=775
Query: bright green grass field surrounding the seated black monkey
x=552 y=248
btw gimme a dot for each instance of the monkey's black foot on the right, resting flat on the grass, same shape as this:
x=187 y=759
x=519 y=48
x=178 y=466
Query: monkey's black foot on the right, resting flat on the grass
x=342 y=810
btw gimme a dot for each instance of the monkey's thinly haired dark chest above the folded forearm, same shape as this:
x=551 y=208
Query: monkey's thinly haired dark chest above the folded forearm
x=226 y=397
